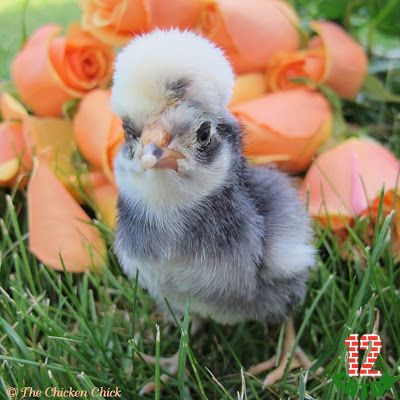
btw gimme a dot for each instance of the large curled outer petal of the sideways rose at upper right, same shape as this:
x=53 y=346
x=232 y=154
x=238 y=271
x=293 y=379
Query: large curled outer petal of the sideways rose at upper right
x=346 y=61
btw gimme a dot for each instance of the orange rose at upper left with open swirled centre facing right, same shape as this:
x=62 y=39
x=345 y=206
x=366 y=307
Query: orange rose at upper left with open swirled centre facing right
x=51 y=70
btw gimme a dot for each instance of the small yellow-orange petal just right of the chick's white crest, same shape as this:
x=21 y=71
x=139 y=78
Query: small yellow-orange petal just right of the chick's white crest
x=248 y=87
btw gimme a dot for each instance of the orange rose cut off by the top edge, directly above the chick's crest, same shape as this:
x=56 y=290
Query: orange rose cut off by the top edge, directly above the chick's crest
x=116 y=21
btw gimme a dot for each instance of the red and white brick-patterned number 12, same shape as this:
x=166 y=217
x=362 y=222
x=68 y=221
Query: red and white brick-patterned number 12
x=353 y=345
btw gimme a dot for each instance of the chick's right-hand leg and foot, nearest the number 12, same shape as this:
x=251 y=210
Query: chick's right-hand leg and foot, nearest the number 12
x=299 y=359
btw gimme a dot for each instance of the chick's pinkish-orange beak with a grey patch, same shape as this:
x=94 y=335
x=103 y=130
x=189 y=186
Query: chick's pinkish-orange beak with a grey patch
x=155 y=153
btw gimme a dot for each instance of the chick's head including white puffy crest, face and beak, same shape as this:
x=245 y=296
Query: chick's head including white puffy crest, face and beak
x=171 y=89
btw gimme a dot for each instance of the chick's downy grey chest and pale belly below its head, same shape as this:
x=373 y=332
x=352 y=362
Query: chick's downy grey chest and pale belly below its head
x=199 y=251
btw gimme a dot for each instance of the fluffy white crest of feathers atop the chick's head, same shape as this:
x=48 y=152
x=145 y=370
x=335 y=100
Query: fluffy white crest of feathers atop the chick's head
x=150 y=61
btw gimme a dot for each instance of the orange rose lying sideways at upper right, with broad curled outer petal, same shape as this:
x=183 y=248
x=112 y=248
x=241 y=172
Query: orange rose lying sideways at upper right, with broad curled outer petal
x=332 y=58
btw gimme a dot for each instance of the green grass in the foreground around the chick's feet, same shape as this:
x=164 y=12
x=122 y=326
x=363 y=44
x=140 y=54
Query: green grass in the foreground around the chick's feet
x=62 y=330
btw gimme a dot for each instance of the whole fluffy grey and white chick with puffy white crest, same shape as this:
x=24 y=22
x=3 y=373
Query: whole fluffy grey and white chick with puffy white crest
x=194 y=219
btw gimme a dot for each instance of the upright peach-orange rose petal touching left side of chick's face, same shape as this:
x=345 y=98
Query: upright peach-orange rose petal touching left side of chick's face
x=98 y=132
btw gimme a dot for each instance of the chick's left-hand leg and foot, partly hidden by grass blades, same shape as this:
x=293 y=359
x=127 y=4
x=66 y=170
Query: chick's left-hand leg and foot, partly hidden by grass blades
x=168 y=364
